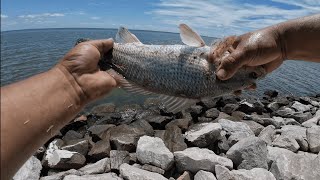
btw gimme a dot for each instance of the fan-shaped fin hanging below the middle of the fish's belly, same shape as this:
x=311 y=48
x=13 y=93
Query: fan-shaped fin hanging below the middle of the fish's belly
x=175 y=104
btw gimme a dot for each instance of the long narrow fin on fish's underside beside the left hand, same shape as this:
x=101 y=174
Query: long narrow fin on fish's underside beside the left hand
x=126 y=85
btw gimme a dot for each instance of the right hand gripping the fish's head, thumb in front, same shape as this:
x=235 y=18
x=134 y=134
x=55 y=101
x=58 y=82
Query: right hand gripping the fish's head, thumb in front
x=256 y=48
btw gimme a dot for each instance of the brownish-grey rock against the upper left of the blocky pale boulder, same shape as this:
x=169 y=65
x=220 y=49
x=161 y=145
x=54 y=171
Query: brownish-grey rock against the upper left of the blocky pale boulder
x=125 y=137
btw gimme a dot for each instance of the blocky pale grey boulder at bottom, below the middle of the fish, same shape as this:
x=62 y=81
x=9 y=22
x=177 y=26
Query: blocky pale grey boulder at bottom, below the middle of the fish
x=152 y=150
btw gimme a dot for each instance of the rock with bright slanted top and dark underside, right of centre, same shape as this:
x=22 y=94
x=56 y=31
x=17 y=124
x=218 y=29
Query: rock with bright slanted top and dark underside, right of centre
x=203 y=134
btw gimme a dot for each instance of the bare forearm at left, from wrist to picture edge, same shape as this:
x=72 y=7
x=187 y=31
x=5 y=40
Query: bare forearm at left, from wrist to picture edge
x=32 y=111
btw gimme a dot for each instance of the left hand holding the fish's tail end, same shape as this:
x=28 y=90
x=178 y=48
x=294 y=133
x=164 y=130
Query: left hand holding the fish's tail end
x=81 y=63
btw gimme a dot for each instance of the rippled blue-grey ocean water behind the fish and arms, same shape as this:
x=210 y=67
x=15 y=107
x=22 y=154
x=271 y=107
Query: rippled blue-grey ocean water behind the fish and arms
x=28 y=52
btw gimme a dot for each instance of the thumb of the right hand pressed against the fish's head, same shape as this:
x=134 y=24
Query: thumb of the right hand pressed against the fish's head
x=231 y=63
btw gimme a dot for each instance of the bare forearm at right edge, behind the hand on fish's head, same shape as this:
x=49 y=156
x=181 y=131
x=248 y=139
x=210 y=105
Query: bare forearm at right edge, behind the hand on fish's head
x=300 y=38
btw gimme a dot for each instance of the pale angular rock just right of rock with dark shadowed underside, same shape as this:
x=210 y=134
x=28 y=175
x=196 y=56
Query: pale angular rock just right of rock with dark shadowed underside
x=236 y=130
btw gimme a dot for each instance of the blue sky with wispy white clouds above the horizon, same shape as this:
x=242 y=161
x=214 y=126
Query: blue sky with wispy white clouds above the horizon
x=209 y=17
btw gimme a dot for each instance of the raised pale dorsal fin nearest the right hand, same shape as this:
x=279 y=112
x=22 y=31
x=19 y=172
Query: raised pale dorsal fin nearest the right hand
x=190 y=37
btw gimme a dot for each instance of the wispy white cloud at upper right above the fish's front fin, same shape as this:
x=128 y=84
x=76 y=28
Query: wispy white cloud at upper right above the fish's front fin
x=226 y=17
